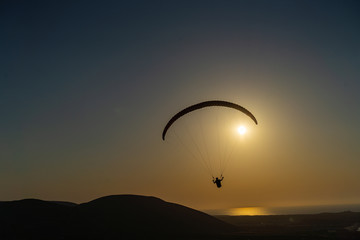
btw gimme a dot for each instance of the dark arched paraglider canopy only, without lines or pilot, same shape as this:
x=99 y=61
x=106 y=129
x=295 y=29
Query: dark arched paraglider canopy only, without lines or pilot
x=206 y=104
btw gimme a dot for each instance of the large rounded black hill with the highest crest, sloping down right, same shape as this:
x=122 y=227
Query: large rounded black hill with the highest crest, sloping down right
x=150 y=215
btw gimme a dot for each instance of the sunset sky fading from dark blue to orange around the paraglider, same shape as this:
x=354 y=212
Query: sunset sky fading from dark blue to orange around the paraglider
x=88 y=86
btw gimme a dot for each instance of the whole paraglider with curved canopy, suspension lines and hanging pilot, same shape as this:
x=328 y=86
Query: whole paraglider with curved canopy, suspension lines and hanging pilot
x=207 y=159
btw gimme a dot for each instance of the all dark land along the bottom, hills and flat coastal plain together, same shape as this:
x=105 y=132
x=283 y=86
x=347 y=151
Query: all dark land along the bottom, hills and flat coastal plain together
x=141 y=217
